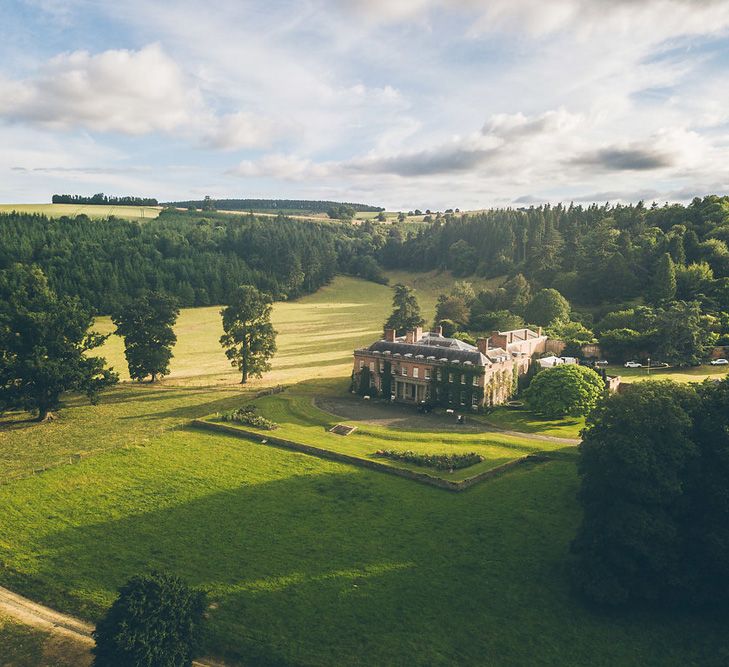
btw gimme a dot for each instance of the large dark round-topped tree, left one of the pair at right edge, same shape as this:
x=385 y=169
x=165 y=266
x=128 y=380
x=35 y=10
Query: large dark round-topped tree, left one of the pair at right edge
x=634 y=459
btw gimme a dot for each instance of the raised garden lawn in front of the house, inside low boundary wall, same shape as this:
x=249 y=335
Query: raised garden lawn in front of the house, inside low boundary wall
x=300 y=421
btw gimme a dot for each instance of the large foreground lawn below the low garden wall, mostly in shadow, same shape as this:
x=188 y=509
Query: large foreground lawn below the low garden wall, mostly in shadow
x=312 y=562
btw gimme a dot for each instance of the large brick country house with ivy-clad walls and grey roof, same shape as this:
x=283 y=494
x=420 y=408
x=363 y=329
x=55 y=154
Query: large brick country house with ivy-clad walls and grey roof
x=430 y=368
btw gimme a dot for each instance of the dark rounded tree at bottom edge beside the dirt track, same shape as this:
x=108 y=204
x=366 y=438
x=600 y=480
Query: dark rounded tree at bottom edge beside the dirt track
x=156 y=620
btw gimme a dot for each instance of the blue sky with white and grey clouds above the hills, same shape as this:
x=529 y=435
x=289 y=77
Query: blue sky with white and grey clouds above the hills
x=400 y=103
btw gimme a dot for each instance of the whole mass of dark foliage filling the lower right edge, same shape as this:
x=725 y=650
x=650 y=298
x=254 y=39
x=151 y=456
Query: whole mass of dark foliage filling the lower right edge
x=654 y=463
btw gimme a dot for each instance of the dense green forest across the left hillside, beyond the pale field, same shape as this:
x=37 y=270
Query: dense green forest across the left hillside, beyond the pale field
x=200 y=258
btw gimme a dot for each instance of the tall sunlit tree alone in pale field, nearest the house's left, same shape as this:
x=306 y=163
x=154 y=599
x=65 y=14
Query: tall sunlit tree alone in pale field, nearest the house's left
x=249 y=338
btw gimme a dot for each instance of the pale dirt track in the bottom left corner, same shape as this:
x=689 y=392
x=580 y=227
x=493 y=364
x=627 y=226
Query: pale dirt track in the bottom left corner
x=44 y=618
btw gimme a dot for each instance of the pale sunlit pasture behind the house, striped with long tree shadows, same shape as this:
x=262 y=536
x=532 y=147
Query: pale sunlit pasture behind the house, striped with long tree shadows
x=317 y=333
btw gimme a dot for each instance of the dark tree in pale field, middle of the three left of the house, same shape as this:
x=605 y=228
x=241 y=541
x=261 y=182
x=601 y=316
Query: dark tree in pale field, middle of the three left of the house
x=146 y=324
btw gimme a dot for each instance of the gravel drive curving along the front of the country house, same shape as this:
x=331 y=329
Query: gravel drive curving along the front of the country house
x=404 y=417
